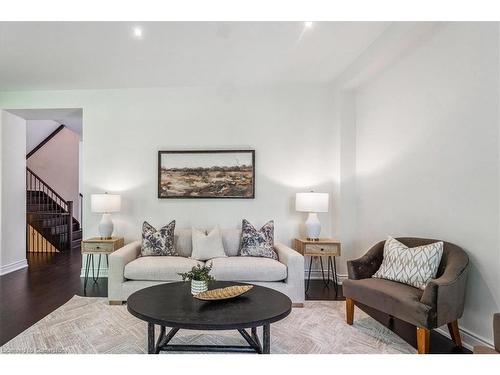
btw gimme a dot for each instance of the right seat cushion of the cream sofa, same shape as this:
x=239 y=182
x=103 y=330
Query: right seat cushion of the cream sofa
x=247 y=269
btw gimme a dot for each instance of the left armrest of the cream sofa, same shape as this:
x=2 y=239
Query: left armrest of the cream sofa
x=117 y=262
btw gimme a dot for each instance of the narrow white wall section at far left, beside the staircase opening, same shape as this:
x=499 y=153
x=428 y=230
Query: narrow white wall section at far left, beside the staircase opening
x=13 y=193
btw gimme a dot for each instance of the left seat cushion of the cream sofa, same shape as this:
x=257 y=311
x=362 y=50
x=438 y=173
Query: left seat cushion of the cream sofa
x=164 y=268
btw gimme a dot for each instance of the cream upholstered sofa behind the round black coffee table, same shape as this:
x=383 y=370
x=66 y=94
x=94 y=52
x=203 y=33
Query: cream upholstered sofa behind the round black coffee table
x=129 y=272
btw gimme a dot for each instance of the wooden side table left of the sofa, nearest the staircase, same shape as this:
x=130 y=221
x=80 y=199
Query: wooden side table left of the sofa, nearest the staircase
x=98 y=246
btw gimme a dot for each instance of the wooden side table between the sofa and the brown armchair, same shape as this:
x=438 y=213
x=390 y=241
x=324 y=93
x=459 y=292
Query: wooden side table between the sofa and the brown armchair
x=324 y=247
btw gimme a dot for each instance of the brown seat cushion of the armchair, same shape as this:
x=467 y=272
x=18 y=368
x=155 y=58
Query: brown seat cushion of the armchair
x=391 y=297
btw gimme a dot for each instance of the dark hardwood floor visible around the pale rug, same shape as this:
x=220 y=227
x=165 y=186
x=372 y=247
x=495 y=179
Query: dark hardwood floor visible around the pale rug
x=51 y=280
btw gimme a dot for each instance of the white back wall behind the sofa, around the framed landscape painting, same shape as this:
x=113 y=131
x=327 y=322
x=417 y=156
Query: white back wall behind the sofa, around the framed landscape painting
x=289 y=127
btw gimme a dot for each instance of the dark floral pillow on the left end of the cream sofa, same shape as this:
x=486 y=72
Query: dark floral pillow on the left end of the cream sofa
x=158 y=242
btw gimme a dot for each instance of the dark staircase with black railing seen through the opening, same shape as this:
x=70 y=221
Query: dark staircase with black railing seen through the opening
x=49 y=214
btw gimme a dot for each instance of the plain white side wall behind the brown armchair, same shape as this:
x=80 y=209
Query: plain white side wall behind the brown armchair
x=427 y=151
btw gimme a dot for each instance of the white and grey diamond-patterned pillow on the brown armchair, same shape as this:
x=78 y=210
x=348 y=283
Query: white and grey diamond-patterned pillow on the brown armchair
x=414 y=266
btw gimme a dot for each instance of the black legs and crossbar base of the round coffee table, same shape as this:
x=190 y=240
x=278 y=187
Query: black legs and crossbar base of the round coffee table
x=254 y=345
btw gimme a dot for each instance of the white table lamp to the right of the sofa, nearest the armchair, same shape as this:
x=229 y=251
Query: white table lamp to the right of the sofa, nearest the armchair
x=312 y=203
